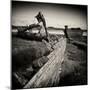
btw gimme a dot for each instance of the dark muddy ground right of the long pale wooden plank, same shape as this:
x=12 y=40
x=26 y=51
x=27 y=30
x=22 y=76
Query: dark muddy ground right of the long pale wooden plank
x=74 y=67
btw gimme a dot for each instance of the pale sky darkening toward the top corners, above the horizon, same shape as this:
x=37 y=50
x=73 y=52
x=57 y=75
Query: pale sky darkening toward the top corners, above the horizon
x=56 y=15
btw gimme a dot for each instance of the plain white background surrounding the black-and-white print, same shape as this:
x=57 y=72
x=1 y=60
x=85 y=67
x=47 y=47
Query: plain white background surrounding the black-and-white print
x=5 y=43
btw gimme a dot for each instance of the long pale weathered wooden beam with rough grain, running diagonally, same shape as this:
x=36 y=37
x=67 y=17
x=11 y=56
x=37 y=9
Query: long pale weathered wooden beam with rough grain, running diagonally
x=49 y=74
